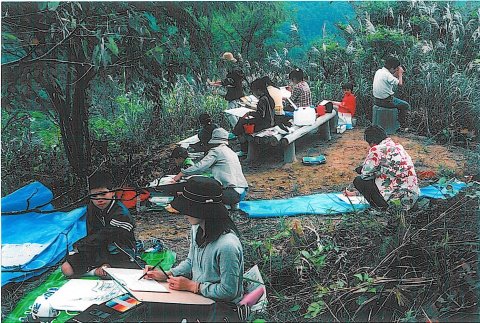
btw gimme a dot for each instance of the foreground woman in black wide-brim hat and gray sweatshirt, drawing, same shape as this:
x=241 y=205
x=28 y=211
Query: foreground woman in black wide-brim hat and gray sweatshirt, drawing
x=214 y=265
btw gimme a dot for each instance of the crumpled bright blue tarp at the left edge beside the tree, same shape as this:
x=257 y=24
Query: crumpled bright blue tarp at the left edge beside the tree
x=55 y=232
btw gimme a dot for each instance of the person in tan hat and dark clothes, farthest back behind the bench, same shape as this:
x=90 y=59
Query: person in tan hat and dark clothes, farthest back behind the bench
x=232 y=82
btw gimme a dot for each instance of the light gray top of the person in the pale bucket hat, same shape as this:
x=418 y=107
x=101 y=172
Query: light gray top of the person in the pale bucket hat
x=226 y=167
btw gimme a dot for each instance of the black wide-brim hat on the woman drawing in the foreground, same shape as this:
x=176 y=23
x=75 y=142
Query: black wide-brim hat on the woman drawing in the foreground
x=201 y=198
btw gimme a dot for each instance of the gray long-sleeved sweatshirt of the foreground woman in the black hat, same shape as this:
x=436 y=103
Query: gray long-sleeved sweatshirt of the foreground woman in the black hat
x=218 y=266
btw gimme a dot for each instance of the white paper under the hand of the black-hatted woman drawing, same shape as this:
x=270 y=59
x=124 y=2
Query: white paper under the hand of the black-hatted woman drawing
x=130 y=279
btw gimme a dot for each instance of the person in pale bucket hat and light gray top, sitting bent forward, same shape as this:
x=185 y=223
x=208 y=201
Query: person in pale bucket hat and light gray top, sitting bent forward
x=225 y=166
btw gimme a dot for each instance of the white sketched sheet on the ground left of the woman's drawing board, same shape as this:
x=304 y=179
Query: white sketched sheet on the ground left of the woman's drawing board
x=79 y=294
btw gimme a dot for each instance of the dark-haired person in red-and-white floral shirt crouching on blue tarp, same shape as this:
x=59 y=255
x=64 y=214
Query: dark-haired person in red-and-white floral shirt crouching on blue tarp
x=387 y=176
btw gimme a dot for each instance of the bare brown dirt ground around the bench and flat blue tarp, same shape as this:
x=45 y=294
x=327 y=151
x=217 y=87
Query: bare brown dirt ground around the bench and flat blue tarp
x=269 y=178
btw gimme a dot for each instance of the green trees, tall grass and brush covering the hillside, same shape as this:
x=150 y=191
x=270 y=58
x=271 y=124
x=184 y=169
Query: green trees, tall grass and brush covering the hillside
x=90 y=85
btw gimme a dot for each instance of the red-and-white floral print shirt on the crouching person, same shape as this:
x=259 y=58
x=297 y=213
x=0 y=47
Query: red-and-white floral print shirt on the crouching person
x=392 y=168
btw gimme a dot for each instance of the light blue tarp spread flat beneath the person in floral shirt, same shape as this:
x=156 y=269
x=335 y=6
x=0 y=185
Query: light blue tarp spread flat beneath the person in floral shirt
x=328 y=203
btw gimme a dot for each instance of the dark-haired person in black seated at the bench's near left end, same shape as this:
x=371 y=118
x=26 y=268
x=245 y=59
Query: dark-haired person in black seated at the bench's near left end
x=262 y=118
